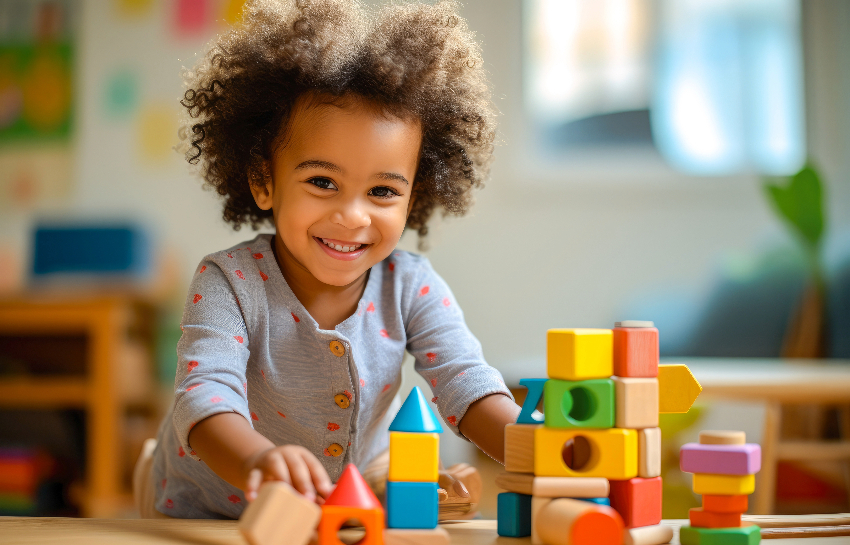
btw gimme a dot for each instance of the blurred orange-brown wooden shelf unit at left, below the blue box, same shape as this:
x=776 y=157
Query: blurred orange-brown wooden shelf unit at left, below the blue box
x=116 y=374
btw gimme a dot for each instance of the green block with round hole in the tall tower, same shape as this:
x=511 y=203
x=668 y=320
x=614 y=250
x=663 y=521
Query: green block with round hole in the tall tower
x=579 y=404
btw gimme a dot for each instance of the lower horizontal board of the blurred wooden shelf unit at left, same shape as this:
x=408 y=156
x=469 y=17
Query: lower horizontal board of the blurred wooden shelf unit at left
x=48 y=393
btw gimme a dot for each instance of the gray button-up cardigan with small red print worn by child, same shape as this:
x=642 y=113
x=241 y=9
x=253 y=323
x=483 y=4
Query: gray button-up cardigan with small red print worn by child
x=250 y=347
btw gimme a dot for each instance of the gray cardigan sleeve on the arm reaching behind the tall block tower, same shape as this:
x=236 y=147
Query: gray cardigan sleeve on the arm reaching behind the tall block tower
x=447 y=354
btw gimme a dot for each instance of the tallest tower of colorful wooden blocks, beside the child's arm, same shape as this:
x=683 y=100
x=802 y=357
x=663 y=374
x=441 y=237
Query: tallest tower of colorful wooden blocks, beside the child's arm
x=591 y=472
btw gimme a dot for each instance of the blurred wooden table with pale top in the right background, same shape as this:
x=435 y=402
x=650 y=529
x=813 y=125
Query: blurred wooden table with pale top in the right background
x=780 y=383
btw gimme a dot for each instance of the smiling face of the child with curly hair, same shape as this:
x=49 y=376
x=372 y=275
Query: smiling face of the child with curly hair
x=343 y=178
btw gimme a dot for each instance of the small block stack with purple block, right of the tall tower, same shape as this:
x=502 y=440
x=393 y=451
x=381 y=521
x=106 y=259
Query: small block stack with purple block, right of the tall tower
x=724 y=468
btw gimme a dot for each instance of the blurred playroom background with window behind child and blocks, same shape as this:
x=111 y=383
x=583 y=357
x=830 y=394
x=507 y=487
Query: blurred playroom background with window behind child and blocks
x=680 y=161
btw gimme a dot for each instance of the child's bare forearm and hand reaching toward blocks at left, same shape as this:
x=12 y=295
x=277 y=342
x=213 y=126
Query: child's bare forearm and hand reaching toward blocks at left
x=245 y=458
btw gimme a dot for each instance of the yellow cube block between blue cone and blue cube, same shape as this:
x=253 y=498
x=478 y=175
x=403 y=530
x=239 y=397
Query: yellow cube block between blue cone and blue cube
x=414 y=457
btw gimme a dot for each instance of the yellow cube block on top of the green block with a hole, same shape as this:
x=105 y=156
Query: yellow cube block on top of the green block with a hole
x=578 y=354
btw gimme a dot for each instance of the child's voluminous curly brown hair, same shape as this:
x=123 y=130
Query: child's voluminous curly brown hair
x=410 y=58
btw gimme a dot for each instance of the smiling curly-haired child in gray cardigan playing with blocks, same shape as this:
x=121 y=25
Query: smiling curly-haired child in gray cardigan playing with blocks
x=340 y=128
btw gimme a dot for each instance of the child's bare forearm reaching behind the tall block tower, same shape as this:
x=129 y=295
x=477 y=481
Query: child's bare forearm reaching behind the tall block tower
x=484 y=424
